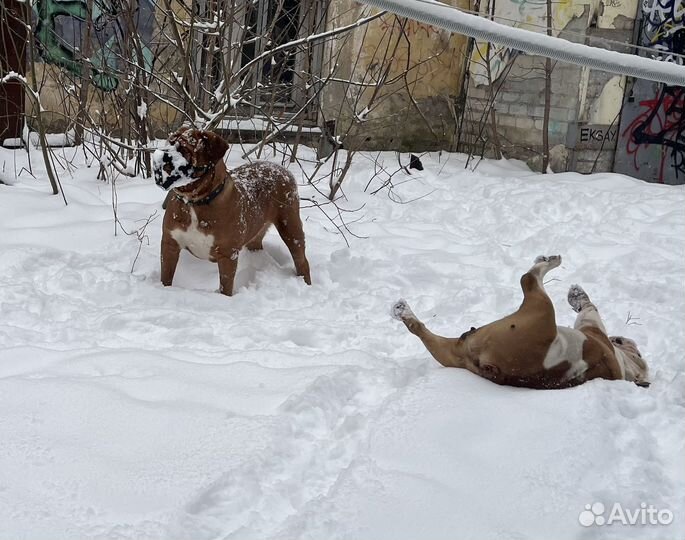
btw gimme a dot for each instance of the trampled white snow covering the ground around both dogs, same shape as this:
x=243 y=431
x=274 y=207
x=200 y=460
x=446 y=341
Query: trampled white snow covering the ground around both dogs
x=133 y=411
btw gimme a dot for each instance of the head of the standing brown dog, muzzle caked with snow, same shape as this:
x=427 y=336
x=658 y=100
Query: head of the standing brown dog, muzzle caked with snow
x=190 y=155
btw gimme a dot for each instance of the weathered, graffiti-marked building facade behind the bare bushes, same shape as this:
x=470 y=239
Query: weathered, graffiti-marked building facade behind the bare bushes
x=388 y=84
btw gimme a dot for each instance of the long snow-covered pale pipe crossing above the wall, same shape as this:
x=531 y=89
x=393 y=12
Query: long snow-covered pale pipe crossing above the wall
x=456 y=21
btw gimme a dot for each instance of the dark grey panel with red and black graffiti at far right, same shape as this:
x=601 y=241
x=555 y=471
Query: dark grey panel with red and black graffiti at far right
x=653 y=125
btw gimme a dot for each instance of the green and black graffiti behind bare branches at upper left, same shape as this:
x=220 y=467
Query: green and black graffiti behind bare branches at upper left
x=61 y=25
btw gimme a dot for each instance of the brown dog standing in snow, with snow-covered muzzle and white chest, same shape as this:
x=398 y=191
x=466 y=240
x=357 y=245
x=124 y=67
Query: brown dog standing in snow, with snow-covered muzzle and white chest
x=214 y=213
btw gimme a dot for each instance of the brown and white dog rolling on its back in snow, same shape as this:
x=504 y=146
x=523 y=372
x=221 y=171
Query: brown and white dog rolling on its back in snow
x=527 y=348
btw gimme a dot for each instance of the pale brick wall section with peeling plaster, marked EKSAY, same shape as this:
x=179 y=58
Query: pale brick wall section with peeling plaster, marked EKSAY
x=585 y=104
